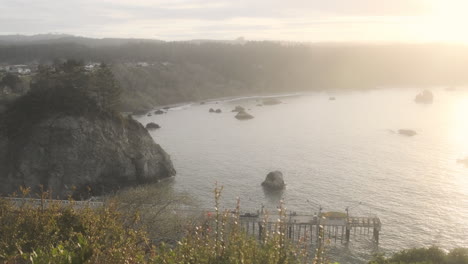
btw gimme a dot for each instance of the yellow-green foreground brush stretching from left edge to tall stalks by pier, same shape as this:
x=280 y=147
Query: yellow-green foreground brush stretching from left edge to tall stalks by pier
x=54 y=233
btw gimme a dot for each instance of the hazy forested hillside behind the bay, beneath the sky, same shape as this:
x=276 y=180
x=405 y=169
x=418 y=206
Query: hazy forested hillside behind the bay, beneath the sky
x=183 y=71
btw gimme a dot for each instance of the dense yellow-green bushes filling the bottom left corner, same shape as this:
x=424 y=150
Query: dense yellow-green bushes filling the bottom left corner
x=53 y=233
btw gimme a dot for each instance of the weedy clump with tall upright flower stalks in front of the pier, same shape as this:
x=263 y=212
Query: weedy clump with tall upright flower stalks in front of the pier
x=221 y=240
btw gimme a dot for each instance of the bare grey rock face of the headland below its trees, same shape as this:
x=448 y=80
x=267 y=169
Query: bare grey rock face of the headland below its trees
x=71 y=155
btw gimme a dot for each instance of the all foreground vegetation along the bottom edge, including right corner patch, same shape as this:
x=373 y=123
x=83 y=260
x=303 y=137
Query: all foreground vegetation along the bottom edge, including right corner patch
x=142 y=225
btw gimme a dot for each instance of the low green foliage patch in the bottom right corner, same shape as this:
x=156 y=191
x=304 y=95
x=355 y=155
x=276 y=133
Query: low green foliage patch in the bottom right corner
x=432 y=255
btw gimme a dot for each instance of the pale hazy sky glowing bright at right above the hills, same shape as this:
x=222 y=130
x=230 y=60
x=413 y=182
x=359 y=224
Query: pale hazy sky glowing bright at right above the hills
x=295 y=20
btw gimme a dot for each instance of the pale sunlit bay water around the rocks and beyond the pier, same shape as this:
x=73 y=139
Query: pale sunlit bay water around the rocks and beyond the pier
x=334 y=154
